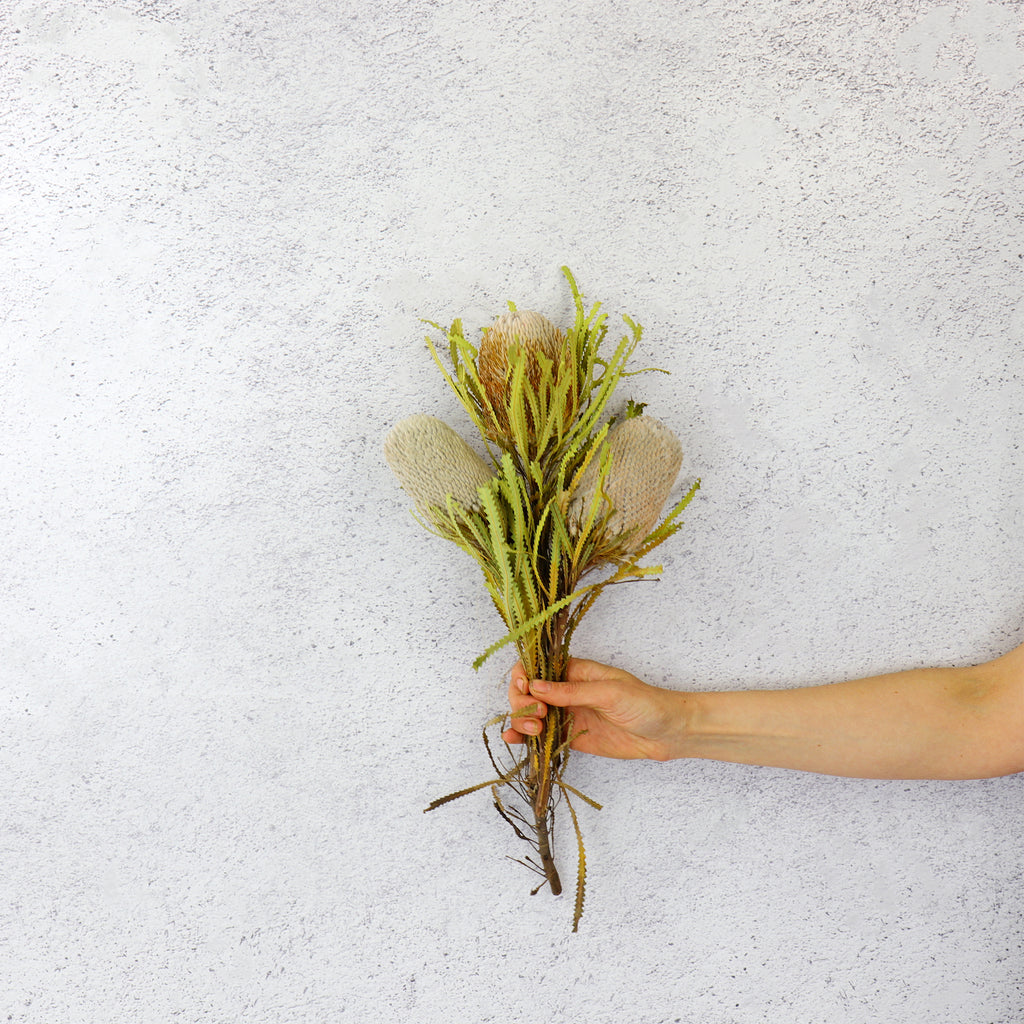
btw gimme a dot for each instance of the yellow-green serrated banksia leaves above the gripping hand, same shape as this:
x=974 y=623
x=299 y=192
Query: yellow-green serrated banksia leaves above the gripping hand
x=533 y=552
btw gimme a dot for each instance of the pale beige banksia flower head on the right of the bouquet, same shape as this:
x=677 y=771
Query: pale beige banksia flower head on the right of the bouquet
x=646 y=460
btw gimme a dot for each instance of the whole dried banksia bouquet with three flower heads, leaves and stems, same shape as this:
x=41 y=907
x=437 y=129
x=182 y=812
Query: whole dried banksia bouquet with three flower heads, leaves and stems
x=569 y=504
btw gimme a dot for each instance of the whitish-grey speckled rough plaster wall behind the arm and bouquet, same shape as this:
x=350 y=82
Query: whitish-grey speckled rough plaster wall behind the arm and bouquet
x=234 y=668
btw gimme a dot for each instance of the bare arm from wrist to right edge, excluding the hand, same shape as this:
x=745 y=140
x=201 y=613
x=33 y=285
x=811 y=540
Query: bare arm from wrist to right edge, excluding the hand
x=929 y=723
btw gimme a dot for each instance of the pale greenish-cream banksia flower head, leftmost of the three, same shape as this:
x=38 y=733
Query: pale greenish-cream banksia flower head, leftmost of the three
x=432 y=462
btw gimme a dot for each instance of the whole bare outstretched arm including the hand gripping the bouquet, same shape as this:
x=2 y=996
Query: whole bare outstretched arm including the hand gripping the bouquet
x=927 y=723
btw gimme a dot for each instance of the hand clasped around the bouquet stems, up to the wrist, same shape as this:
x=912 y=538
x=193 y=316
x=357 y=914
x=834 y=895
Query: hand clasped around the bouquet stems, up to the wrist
x=616 y=714
